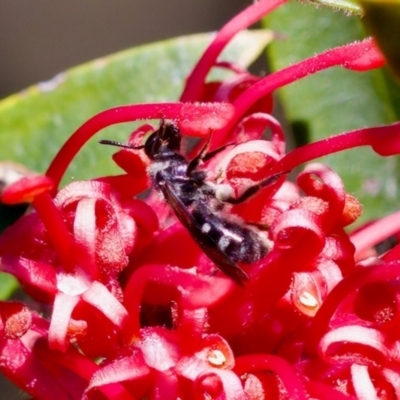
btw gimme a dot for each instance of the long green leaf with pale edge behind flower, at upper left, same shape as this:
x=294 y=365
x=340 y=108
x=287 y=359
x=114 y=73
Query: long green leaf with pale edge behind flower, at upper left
x=35 y=123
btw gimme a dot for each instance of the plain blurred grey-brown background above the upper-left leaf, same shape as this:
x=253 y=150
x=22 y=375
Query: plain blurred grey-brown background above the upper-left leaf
x=39 y=38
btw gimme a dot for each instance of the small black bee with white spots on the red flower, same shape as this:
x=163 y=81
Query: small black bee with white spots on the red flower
x=198 y=203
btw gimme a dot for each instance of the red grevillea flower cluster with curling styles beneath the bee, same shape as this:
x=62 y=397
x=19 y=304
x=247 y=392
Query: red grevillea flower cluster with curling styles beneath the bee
x=137 y=310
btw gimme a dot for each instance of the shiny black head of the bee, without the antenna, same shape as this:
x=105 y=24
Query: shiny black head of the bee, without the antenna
x=166 y=139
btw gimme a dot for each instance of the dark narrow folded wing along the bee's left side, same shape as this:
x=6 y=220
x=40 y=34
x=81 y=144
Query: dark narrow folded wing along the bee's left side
x=208 y=245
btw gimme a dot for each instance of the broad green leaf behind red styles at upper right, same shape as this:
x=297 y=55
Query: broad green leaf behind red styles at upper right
x=337 y=100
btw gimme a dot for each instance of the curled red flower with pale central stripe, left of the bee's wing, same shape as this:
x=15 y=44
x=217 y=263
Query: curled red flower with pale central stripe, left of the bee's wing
x=104 y=232
